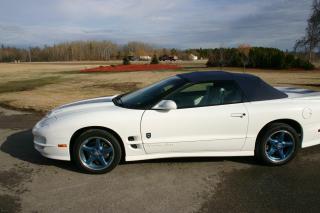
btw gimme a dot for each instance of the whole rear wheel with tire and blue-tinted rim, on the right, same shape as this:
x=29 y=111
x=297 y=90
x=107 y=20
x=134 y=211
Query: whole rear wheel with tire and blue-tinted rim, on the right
x=277 y=145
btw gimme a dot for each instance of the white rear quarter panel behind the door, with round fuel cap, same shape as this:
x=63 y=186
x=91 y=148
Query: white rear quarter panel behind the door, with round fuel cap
x=305 y=112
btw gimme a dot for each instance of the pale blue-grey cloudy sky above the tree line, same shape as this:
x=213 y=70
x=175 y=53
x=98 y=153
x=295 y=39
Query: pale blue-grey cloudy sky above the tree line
x=164 y=23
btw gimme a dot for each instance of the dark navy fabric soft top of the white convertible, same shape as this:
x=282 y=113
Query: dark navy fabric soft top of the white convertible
x=254 y=88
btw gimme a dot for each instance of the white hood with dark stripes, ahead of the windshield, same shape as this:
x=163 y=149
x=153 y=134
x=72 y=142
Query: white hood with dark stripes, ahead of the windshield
x=82 y=106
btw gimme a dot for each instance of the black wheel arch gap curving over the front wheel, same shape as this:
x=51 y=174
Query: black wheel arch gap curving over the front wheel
x=77 y=133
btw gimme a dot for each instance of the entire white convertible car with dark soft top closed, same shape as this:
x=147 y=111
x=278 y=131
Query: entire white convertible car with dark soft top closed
x=195 y=114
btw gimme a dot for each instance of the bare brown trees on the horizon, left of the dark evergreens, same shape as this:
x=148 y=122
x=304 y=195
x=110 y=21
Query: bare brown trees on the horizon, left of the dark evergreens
x=84 y=50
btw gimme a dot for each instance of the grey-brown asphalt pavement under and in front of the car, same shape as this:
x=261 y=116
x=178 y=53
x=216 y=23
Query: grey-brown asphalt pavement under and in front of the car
x=31 y=183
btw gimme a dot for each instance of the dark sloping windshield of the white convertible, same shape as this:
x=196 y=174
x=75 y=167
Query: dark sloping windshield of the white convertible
x=147 y=97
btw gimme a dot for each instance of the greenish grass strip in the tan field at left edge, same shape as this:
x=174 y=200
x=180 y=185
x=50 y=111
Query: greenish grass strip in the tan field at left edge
x=27 y=85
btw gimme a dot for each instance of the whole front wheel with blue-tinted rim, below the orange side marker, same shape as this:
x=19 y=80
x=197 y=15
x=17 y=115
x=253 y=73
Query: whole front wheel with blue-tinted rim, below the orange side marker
x=96 y=151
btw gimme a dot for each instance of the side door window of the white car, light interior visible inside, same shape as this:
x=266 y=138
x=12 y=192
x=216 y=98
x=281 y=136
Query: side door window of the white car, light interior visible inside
x=207 y=94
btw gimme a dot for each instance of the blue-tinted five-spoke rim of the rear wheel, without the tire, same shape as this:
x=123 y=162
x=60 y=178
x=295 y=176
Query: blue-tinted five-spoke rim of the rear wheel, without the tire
x=280 y=146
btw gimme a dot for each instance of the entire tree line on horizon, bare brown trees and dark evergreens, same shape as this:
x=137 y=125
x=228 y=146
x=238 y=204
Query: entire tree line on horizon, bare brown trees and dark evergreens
x=242 y=56
